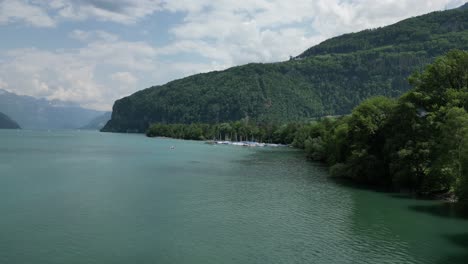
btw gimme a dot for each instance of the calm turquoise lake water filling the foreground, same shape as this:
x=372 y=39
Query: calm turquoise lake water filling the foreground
x=88 y=197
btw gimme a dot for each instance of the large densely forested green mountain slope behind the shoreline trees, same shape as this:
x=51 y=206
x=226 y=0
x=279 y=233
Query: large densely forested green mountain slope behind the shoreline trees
x=328 y=79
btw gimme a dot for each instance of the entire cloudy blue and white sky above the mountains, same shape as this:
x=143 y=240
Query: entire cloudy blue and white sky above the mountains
x=92 y=52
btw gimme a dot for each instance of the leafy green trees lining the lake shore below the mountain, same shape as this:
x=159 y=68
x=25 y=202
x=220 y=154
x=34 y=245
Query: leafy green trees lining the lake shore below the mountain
x=418 y=142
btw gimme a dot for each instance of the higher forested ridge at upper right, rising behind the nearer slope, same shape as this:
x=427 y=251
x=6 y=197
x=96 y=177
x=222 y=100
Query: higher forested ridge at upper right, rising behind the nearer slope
x=432 y=33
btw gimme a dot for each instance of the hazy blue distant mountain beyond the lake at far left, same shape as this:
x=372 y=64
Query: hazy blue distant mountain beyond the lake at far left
x=33 y=113
